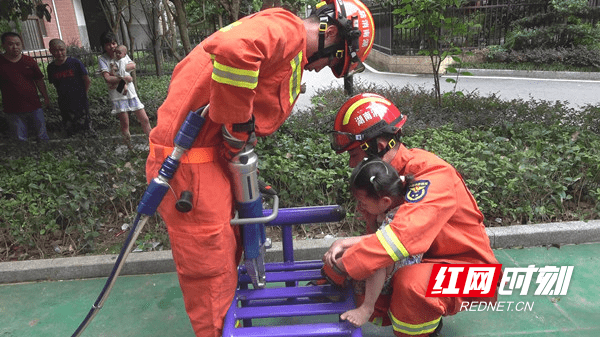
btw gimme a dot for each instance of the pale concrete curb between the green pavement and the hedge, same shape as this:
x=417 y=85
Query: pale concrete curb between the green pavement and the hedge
x=574 y=232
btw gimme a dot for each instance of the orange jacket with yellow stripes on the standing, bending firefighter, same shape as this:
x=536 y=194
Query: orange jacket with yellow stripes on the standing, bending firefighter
x=251 y=67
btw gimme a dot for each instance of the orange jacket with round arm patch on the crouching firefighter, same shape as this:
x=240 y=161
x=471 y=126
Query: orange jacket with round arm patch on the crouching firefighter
x=439 y=219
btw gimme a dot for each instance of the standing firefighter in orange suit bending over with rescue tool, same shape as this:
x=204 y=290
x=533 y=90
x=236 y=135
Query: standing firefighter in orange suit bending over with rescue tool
x=249 y=75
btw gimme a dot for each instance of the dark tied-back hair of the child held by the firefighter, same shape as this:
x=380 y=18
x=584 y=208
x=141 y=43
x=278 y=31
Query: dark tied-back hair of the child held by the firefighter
x=379 y=179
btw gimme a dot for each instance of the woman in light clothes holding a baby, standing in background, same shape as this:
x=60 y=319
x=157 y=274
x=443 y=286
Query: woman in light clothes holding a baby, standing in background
x=122 y=104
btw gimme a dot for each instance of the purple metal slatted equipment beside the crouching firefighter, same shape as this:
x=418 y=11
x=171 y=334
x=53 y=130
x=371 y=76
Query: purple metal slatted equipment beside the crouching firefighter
x=288 y=294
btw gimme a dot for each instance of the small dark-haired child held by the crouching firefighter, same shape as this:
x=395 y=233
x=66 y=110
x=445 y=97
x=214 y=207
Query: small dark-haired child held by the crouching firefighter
x=379 y=191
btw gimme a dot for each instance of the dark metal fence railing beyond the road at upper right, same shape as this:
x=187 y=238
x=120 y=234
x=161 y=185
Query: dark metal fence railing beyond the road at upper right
x=492 y=16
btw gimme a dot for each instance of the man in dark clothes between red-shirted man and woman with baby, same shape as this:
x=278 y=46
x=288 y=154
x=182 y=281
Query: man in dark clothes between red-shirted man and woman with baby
x=72 y=83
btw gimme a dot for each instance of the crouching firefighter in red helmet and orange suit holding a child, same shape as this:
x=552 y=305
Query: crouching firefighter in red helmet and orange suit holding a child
x=439 y=219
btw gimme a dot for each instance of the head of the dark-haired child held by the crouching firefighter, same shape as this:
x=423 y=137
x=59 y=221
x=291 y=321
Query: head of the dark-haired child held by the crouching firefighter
x=377 y=186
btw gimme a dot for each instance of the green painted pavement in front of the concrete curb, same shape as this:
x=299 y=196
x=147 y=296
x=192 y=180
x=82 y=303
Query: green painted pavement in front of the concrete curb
x=151 y=305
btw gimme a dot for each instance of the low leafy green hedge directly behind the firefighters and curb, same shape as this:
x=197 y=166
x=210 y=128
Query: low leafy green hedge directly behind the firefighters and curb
x=525 y=162
